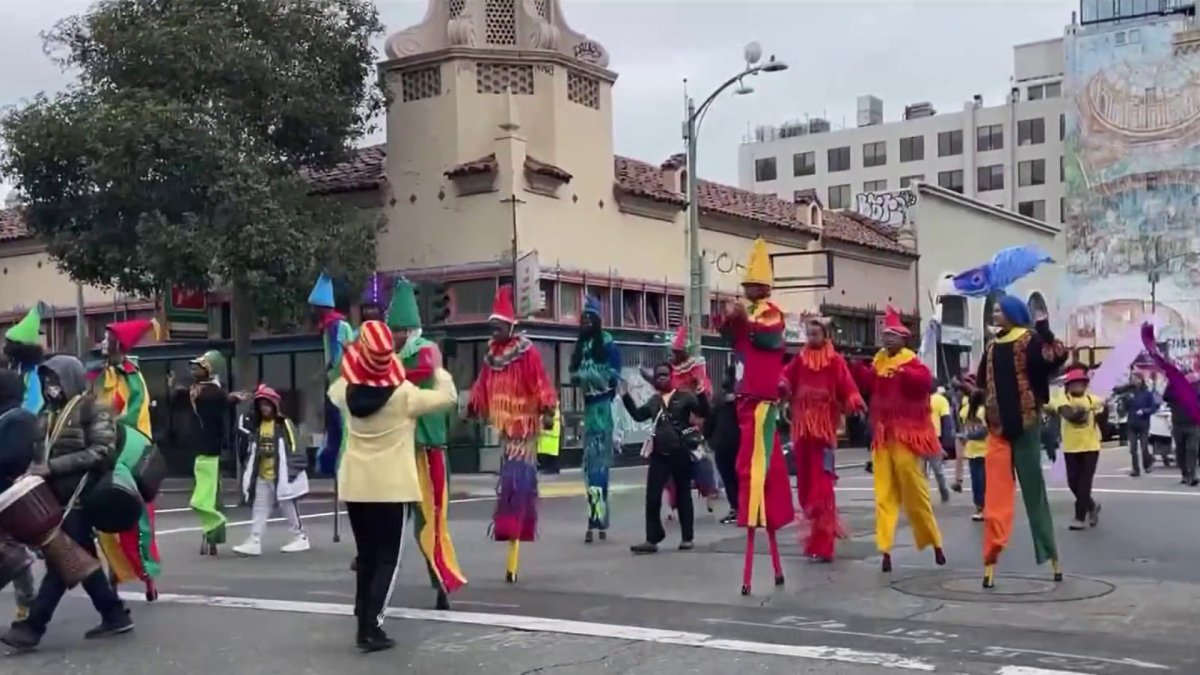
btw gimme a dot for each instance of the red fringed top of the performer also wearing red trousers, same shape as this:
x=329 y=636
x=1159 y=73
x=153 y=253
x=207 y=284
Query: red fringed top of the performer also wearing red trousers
x=823 y=390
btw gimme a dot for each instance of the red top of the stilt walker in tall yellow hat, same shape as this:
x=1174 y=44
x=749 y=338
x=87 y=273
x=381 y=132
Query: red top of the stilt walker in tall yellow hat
x=758 y=339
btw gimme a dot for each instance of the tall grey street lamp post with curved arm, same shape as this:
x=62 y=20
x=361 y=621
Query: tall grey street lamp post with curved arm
x=695 y=301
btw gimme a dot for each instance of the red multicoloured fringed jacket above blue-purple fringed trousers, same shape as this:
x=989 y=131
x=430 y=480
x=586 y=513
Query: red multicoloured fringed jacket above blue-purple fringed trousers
x=513 y=391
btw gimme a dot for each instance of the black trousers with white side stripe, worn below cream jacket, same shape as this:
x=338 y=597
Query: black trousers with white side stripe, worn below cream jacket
x=379 y=530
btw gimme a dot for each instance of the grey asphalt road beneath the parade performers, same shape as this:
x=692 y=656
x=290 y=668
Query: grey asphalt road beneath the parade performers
x=1127 y=607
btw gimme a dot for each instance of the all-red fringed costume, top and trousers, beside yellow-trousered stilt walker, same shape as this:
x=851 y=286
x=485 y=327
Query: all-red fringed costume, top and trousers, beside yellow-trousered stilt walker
x=821 y=391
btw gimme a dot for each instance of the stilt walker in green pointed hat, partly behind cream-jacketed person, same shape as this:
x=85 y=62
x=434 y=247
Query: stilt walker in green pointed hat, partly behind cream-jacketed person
x=422 y=359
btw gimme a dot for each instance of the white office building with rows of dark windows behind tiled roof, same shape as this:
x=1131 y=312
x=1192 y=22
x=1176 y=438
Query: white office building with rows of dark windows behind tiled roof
x=1009 y=154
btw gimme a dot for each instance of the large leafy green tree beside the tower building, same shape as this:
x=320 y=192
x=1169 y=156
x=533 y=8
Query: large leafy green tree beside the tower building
x=178 y=157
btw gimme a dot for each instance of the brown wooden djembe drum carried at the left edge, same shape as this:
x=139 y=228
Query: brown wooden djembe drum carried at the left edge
x=31 y=515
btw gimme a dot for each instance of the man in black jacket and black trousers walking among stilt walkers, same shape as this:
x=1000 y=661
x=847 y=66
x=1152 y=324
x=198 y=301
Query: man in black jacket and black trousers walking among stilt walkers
x=674 y=440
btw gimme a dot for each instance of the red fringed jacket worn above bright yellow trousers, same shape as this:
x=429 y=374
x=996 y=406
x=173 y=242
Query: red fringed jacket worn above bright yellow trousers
x=901 y=409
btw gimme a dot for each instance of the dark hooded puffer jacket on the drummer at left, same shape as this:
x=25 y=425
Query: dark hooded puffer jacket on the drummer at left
x=87 y=441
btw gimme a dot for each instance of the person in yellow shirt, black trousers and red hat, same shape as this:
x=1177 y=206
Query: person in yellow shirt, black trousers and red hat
x=1081 y=443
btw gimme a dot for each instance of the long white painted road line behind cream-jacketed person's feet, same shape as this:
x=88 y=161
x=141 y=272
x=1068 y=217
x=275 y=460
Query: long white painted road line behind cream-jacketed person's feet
x=583 y=629
